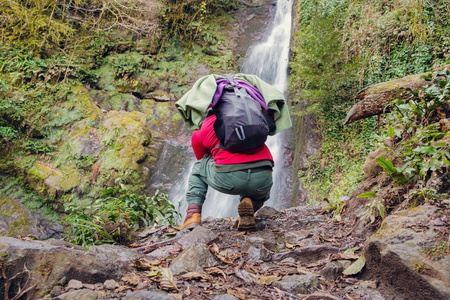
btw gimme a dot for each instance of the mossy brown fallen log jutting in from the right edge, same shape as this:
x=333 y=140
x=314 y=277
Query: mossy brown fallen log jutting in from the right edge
x=375 y=99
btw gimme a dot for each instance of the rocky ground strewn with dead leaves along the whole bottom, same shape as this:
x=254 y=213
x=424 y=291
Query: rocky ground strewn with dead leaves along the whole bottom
x=297 y=253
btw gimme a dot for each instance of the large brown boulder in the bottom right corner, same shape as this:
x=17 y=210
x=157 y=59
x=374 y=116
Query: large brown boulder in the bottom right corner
x=400 y=255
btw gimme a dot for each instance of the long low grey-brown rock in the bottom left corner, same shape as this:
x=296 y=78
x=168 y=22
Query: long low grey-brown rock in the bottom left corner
x=49 y=264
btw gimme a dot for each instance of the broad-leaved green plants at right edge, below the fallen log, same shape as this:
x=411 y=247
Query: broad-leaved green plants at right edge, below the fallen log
x=421 y=150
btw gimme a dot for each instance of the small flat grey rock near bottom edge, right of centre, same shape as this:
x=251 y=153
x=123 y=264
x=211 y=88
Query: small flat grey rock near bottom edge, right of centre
x=298 y=284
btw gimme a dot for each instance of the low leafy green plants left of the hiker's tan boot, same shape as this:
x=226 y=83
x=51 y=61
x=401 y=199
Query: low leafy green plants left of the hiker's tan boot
x=116 y=216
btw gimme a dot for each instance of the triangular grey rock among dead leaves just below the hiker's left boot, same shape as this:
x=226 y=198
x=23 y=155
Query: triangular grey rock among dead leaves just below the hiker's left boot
x=194 y=258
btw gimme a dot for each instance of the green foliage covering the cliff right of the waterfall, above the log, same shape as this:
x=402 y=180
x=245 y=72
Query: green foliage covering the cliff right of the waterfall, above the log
x=341 y=46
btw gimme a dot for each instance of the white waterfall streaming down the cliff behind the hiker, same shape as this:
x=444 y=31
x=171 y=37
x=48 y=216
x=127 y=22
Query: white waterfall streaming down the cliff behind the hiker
x=268 y=60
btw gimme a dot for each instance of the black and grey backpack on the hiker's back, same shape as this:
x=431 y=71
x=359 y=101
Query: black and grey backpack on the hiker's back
x=242 y=125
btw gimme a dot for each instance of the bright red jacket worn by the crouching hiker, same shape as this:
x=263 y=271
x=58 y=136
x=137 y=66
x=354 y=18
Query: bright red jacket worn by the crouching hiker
x=205 y=139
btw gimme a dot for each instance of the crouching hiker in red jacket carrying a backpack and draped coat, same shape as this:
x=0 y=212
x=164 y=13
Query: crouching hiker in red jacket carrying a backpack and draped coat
x=244 y=170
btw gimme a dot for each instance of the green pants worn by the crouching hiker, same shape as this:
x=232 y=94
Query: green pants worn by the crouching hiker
x=244 y=183
